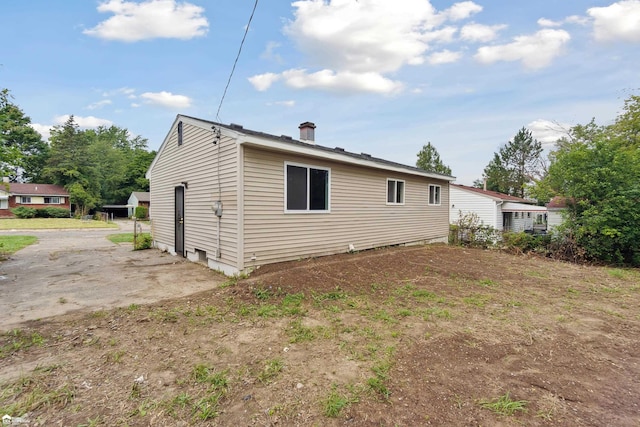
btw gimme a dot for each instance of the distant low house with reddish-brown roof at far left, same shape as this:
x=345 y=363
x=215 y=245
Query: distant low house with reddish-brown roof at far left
x=13 y=195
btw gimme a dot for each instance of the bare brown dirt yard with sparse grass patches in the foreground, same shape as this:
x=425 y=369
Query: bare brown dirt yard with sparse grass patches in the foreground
x=411 y=336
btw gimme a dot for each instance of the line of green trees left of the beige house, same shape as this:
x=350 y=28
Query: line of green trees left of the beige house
x=96 y=166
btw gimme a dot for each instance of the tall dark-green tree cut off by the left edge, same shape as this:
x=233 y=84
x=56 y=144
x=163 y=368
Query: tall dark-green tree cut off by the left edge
x=22 y=150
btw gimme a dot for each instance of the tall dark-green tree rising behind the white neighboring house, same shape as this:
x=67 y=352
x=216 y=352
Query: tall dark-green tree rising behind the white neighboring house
x=515 y=165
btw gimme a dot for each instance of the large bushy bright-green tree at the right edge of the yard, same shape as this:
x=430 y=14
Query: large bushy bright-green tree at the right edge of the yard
x=597 y=168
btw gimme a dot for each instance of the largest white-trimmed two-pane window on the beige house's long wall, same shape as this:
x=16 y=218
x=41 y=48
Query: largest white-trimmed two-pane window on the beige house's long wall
x=306 y=188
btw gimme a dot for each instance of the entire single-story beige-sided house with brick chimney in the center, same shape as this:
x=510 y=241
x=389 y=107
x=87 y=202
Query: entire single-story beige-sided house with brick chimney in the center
x=236 y=199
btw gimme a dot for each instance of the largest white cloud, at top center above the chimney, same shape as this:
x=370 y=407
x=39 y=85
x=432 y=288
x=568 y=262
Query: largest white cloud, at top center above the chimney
x=354 y=44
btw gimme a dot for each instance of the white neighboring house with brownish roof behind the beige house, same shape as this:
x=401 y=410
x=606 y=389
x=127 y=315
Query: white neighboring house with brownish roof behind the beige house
x=497 y=210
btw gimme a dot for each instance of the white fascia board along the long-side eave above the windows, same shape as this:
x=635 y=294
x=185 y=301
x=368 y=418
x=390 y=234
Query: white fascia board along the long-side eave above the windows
x=331 y=155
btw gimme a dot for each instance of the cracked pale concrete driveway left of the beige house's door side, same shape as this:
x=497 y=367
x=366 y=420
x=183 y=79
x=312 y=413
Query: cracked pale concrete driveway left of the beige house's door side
x=68 y=270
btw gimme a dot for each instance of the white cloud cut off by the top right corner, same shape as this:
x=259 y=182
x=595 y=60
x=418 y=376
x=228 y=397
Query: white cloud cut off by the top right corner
x=619 y=21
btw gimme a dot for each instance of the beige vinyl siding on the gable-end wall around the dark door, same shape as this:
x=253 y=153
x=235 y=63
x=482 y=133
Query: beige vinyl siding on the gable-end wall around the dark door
x=196 y=163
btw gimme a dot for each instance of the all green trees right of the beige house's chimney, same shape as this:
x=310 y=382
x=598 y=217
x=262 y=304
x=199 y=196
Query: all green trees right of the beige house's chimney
x=594 y=170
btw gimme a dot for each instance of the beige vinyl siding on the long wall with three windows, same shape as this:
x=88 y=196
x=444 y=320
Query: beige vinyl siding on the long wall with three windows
x=359 y=213
